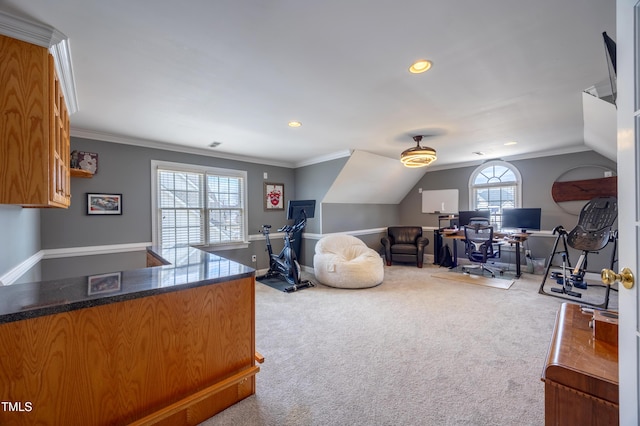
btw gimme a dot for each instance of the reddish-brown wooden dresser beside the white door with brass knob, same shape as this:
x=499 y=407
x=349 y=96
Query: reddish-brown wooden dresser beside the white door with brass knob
x=580 y=373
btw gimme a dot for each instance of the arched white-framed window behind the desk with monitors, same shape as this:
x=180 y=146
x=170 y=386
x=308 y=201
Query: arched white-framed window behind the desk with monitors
x=495 y=185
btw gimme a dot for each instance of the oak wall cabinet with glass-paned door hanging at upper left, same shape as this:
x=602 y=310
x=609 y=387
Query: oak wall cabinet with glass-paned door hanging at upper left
x=34 y=128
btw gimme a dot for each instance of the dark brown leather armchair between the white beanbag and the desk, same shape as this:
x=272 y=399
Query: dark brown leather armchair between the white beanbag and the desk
x=404 y=244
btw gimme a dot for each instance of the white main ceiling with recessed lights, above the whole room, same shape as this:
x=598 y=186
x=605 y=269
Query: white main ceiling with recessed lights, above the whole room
x=236 y=71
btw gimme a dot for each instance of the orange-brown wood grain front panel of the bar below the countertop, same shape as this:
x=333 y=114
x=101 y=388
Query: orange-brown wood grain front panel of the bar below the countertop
x=130 y=360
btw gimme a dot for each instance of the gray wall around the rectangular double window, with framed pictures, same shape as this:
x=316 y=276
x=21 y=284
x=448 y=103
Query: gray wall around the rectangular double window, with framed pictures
x=126 y=169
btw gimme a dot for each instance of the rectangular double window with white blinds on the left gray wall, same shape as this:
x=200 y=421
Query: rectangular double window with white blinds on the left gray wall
x=200 y=205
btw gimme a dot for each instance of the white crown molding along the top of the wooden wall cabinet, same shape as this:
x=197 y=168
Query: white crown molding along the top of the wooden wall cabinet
x=52 y=39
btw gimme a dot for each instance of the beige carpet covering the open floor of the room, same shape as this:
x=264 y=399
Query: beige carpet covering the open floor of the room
x=413 y=351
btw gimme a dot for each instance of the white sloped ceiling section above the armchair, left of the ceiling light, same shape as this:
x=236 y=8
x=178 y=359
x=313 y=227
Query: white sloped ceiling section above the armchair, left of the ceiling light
x=369 y=178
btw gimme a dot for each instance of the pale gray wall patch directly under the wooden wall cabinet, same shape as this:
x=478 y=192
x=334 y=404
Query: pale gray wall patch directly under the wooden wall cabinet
x=20 y=235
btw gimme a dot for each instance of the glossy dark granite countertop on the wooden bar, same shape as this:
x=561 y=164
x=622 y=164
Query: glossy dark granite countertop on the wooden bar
x=187 y=267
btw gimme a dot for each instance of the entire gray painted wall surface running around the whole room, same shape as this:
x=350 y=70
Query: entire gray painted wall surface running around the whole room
x=126 y=169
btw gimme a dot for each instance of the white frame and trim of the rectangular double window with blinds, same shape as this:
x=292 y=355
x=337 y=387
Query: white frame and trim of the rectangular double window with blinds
x=206 y=170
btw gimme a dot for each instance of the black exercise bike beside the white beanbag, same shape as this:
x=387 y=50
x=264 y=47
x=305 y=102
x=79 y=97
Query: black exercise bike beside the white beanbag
x=285 y=264
